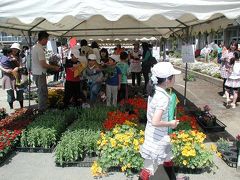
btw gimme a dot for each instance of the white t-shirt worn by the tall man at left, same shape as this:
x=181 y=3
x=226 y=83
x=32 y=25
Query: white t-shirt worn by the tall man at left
x=38 y=55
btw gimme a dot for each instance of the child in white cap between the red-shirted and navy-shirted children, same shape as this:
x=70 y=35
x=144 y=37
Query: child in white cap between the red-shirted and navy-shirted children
x=94 y=76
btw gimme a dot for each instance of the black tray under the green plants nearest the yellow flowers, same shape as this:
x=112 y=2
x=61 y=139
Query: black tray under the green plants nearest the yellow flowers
x=85 y=162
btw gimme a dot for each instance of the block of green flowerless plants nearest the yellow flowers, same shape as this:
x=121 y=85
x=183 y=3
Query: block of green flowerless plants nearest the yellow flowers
x=82 y=135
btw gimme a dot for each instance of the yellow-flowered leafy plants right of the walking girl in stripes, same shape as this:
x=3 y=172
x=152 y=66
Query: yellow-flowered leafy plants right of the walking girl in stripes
x=190 y=152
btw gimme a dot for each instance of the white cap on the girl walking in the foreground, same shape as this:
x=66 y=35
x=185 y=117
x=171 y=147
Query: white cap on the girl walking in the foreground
x=164 y=70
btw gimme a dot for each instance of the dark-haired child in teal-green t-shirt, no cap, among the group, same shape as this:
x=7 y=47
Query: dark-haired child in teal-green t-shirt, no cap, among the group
x=123 y=66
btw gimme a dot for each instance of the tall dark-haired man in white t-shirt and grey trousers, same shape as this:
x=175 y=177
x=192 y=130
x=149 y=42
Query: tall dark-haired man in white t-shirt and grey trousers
x=39 y=69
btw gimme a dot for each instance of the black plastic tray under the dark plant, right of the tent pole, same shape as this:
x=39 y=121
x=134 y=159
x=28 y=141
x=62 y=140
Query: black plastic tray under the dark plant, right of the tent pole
x=208 y=129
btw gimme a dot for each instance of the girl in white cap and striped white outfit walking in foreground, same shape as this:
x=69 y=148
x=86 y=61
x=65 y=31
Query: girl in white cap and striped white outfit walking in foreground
x=156 y=148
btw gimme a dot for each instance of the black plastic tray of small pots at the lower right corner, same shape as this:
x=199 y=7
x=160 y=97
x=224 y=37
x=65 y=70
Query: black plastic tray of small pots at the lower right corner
x=231 y=156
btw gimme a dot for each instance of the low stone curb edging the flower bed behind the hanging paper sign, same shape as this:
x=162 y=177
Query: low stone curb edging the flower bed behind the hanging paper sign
x=212 y=80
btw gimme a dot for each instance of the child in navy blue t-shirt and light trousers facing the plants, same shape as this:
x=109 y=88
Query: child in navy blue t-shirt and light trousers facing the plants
x=113 y=80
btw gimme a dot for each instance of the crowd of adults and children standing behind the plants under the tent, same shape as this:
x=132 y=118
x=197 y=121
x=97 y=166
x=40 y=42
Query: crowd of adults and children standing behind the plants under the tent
x=90 y=73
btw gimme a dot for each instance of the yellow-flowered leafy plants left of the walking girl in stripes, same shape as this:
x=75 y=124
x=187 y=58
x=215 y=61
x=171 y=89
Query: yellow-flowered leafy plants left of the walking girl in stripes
x=119 y=148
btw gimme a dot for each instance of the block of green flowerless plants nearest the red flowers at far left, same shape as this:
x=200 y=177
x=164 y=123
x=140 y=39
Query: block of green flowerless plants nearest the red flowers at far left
x=46 y=129
